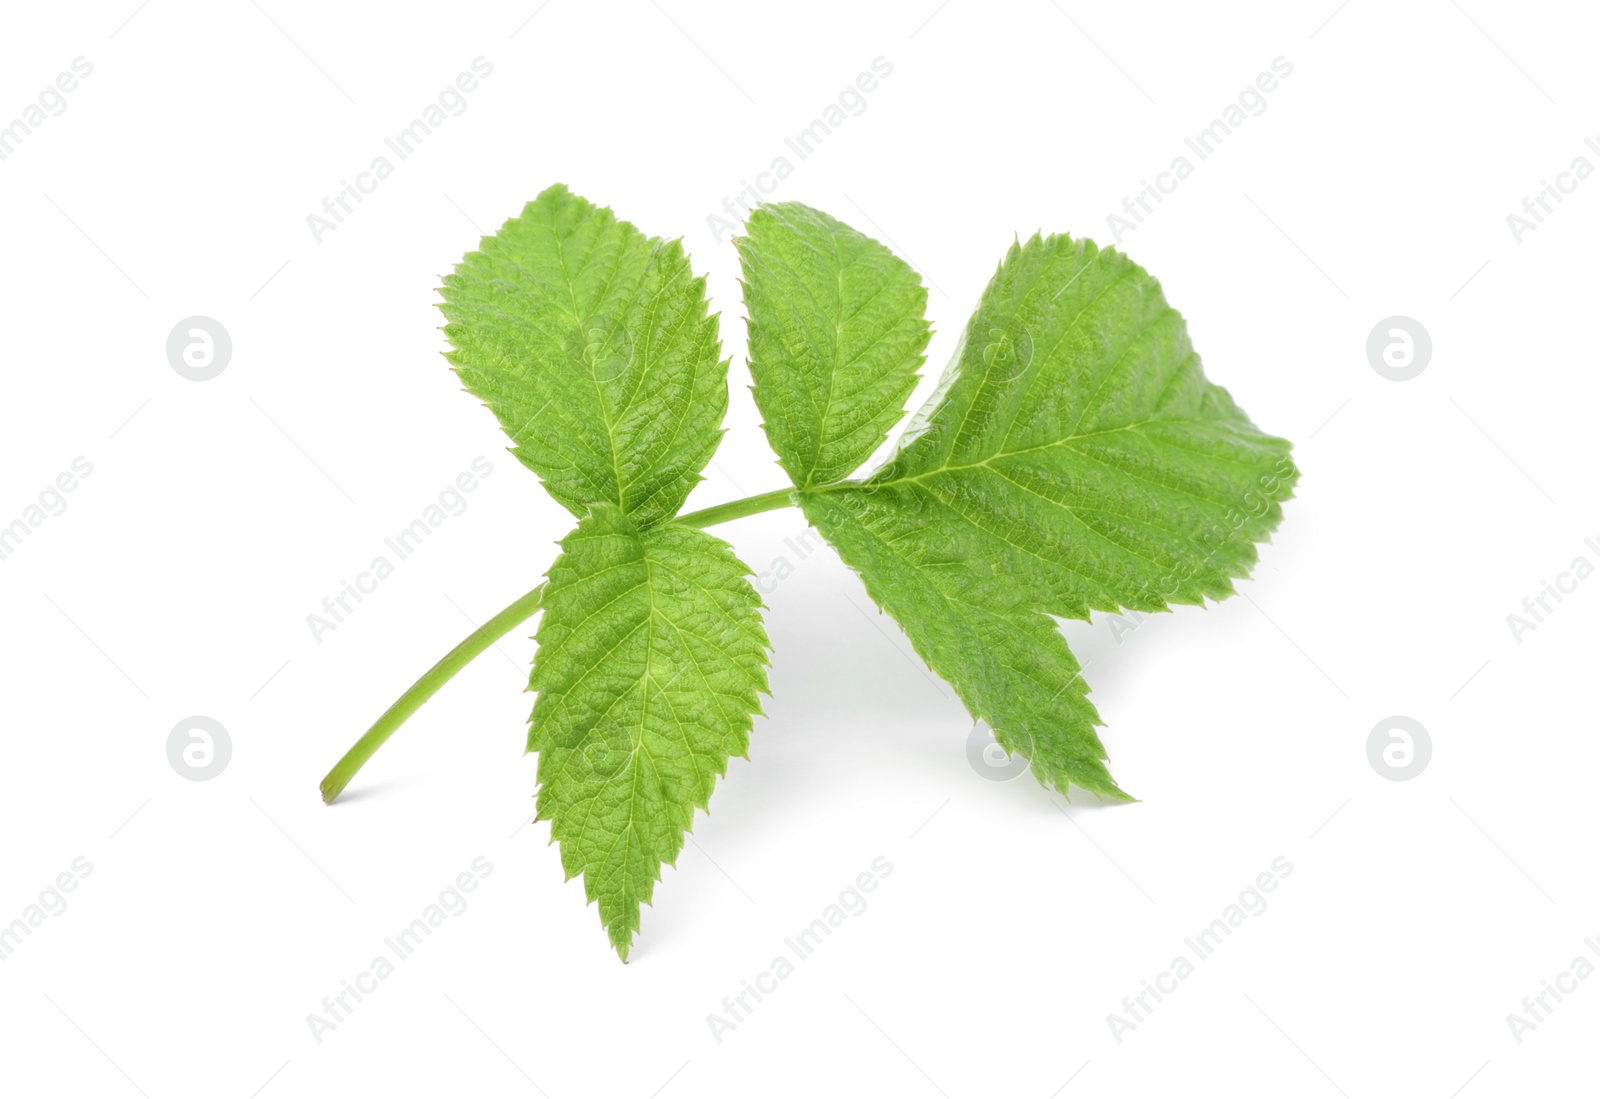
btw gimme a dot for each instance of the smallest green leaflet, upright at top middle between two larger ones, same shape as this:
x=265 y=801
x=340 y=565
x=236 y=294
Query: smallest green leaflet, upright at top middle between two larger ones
x=838 y=334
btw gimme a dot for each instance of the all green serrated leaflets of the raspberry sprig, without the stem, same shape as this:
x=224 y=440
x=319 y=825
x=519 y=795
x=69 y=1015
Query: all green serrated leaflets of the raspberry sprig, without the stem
x=1073 y=458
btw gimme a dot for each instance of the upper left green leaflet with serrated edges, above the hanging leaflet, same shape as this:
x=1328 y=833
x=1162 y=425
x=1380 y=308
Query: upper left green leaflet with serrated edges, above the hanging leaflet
x=594 y=348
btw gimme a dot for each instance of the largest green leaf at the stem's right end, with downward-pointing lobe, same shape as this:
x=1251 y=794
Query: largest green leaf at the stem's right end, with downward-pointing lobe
x=1074 y=458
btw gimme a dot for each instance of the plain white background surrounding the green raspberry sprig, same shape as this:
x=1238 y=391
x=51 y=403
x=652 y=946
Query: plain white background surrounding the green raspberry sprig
x=178 y=581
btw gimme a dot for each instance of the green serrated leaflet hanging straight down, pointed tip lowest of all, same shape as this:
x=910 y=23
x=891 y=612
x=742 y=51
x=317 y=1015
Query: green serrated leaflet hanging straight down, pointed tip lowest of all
x=652 y=655
